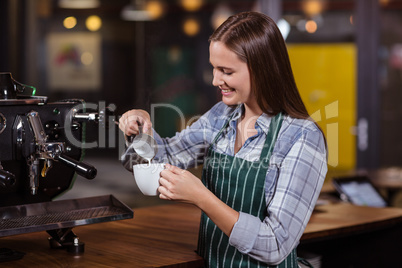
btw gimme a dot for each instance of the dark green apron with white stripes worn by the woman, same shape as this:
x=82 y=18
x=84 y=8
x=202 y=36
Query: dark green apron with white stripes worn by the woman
x=240 y=184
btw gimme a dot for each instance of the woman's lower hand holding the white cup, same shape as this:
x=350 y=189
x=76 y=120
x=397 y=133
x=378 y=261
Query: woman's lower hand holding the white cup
x=180 y=185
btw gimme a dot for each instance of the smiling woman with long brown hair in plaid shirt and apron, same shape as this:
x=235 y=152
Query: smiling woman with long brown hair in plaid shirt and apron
x=264 y=159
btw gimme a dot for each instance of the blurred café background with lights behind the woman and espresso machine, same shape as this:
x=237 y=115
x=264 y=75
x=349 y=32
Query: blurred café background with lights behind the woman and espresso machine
x=346 y=56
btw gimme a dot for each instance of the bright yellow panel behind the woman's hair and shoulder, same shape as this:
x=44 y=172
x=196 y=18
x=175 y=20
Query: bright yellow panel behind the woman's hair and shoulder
x=326 y=77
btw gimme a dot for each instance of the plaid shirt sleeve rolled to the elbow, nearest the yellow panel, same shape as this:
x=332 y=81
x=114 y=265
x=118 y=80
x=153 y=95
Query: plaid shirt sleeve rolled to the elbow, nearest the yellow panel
x=292 y=190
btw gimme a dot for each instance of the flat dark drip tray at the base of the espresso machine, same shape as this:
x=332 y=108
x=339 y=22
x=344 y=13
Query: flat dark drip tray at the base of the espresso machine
x=61 y=214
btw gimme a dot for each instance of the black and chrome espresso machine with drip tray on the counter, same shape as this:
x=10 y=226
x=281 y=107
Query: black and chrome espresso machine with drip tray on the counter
x=41 y=151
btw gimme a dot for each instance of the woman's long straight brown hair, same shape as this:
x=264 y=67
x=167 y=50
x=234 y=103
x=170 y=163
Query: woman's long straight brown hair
x=256 y=39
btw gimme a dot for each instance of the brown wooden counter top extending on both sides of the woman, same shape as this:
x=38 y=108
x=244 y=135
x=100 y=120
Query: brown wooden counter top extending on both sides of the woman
x=166 y=236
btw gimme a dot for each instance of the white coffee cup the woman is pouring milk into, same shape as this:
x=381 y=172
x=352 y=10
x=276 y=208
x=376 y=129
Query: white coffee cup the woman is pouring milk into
x=147 y=177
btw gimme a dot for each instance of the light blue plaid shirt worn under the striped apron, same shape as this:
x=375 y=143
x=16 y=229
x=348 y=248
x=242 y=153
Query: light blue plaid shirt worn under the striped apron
x=293 y=181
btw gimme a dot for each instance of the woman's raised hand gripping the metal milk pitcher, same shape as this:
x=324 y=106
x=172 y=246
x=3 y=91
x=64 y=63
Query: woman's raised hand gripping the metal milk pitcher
x=130 y=121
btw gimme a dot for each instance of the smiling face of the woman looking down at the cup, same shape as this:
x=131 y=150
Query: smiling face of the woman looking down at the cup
x=231 y=75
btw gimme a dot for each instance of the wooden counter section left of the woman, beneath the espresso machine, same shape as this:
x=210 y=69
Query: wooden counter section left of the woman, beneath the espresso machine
x=160 y=236
